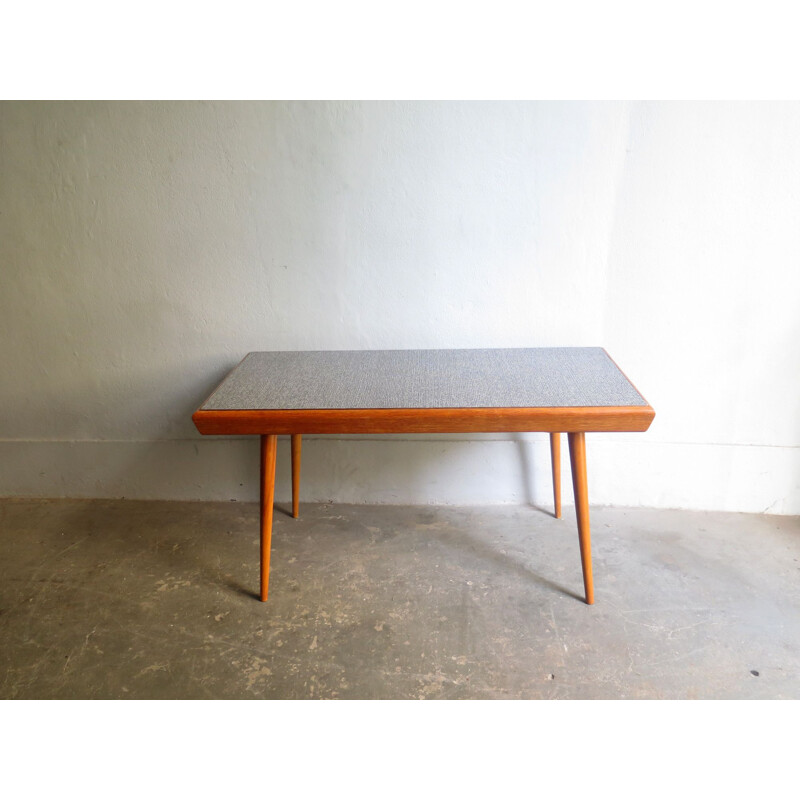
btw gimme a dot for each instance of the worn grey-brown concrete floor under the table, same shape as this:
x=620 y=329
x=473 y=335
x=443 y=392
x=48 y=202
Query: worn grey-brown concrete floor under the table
x=134 y=599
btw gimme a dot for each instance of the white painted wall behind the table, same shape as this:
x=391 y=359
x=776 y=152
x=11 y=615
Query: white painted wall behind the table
x=145 y=247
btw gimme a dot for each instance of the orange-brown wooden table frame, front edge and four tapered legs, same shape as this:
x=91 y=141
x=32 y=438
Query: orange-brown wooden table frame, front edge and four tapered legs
x=574 y=421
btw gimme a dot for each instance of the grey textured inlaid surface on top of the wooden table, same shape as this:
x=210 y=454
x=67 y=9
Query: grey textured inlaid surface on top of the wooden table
x=543 y=377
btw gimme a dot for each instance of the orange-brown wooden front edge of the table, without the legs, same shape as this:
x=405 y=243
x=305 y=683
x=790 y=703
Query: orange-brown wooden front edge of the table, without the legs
x=424 y=420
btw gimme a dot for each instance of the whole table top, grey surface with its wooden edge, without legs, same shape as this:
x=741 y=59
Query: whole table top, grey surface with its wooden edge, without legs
x=425 y=391
